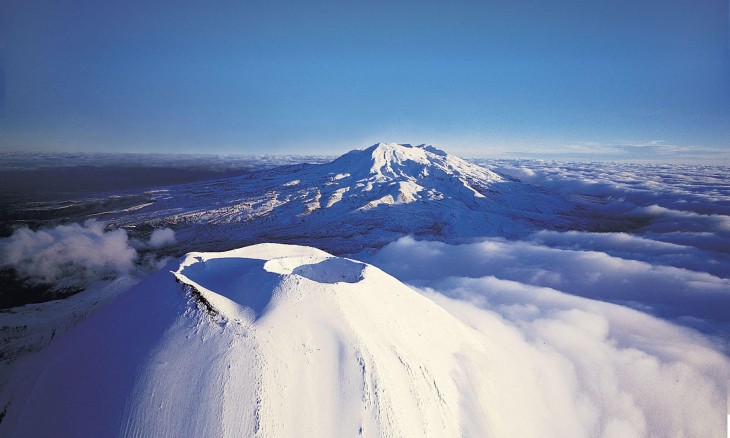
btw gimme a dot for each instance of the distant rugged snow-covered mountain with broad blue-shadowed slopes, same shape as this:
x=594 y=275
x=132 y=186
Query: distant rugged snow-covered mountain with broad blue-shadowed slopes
x=364 y=198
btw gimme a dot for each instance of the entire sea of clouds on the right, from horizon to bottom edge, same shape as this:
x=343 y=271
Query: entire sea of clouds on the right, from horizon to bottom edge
x=618 y=332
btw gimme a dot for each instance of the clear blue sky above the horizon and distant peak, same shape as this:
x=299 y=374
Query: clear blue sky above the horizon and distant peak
x=637 y=78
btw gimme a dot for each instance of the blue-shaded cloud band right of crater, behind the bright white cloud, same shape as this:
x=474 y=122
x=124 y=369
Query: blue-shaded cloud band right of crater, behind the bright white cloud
x=581 y=264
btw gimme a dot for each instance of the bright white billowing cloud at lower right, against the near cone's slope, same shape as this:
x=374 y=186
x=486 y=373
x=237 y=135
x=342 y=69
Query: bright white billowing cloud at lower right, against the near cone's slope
x=568 y=366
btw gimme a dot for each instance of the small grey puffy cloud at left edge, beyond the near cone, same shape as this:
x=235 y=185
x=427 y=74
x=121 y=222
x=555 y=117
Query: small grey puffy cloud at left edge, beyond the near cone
x=74 y=255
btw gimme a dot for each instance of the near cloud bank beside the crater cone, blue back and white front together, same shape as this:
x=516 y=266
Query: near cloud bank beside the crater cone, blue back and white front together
x=569 y=365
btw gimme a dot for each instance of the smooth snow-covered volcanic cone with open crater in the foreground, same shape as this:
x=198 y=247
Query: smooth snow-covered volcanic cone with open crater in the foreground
x=267 y=340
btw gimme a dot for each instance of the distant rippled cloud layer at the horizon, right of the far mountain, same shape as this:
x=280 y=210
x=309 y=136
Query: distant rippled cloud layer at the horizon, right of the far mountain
x=624 y=187
